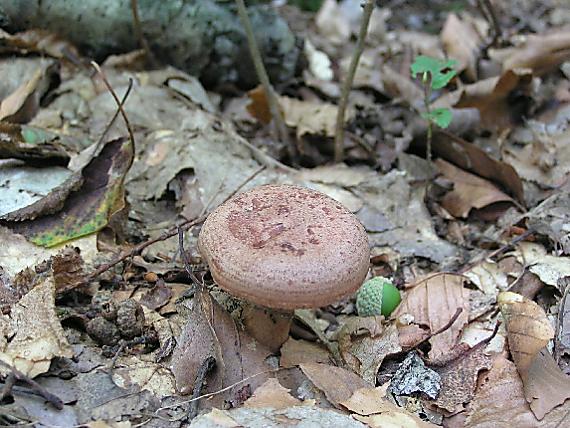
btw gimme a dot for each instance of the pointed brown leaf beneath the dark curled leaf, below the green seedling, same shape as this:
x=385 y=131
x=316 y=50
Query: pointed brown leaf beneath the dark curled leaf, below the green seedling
x=469 y=191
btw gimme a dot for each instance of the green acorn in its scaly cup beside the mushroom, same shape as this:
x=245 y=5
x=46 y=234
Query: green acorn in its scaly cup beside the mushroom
x=377 y=296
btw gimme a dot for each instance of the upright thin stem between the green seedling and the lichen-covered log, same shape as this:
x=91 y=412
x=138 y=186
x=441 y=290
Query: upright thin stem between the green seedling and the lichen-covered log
x=339 y=132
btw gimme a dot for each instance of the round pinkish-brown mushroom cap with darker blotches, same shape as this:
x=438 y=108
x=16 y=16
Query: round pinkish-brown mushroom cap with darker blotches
x=285 y=247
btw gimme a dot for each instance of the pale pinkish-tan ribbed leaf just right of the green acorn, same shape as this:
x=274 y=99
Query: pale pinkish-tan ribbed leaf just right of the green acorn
x=433 y=303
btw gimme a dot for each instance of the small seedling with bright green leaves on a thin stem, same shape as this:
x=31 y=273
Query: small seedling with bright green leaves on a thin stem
x=435 y=74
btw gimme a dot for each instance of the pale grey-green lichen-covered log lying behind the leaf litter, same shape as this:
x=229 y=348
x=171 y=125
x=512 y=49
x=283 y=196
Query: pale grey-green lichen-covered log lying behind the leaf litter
x=202 y=37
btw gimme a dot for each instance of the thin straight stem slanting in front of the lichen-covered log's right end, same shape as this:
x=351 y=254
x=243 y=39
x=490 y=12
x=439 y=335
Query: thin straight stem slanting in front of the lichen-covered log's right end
x=282 y=132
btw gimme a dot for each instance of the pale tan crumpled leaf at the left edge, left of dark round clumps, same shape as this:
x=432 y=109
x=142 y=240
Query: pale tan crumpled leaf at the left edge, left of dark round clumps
x=38 y=336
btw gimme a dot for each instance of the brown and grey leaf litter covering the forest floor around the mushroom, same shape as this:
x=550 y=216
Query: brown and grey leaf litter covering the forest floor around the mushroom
x=128 y=306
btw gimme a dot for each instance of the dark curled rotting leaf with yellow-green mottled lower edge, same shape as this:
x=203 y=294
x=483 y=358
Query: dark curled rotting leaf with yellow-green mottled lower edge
x=88 y=209
